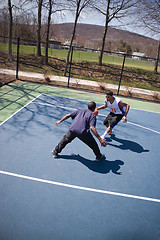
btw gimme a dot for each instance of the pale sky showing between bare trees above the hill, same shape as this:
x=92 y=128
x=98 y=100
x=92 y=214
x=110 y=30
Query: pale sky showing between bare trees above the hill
x=130 y=23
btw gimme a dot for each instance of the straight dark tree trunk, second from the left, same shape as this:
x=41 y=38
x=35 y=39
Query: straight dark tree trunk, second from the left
x=39 y=28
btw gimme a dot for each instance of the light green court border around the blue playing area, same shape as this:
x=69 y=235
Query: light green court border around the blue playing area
x=16 y=95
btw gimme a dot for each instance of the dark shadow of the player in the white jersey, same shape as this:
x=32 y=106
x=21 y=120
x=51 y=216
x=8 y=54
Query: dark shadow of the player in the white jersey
x=126 y=144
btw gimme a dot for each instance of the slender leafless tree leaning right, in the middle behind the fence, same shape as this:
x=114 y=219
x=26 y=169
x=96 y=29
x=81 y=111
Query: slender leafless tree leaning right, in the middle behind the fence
x=78 y=6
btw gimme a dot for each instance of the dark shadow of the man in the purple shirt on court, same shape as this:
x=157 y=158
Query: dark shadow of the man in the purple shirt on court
x=103 y=166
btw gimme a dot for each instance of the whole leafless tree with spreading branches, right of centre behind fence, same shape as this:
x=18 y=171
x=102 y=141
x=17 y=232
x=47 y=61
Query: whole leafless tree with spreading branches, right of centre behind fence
x=111 y=9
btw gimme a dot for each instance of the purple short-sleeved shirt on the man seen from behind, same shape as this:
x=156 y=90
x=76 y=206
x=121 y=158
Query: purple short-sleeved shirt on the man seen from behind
x=83 y=120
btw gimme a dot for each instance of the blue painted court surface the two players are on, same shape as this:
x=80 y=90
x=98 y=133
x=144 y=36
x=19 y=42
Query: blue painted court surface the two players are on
x=75 y=197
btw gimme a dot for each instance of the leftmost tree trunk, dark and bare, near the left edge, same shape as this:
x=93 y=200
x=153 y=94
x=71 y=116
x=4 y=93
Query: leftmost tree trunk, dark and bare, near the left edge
x=10 y=30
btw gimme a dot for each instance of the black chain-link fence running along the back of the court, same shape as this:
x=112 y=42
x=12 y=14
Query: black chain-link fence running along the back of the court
x=118 y=68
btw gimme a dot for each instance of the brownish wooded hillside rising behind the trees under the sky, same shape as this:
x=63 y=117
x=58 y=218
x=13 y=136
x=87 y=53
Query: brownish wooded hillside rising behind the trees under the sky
x=90 y=36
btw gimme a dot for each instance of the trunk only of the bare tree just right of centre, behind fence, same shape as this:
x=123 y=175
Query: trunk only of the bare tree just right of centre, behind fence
x=104 y=35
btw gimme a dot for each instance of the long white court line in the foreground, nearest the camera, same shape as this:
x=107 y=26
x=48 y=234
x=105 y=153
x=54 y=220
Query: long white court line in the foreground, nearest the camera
x=79 y=187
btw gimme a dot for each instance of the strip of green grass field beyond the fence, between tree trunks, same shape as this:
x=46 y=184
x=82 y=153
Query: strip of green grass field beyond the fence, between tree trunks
x=79 y=56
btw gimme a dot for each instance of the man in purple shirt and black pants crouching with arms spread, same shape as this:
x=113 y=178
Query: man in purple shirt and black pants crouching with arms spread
x=84 y=120
